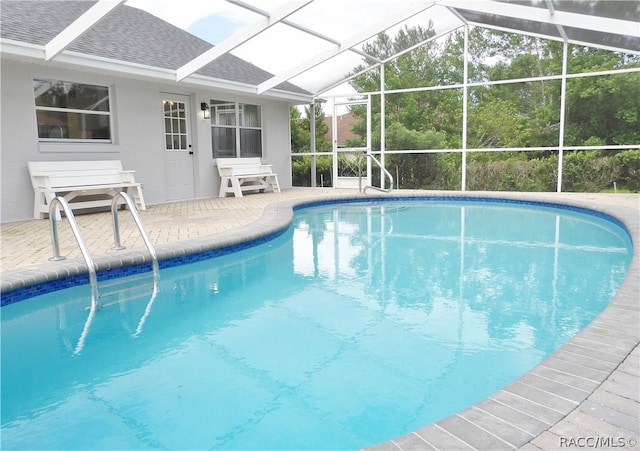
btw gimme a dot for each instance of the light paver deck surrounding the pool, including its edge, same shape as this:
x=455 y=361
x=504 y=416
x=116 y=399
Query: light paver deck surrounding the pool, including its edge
x=585 y=395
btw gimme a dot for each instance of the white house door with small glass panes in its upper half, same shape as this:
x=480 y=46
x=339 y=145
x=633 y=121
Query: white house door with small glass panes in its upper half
x=178 y=153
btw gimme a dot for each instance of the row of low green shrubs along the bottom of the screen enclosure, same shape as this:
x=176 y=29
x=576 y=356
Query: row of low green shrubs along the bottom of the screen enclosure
x=583 y=171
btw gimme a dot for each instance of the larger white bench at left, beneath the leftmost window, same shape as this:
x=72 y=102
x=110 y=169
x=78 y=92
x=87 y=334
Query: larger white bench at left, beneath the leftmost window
x=96 y=181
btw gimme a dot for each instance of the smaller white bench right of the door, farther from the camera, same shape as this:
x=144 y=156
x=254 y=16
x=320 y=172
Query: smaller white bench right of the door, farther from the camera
x=245 y=174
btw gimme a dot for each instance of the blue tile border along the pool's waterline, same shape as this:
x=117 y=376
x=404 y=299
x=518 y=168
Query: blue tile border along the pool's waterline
x=60 y=283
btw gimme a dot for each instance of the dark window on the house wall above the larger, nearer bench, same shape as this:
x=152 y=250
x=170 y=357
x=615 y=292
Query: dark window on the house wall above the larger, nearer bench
x=72 y=111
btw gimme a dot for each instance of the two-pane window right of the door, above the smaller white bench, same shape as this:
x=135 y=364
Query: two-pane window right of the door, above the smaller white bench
x=236 y=129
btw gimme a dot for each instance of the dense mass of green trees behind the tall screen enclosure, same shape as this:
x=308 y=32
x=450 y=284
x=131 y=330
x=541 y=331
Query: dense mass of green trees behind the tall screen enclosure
x=600 y=110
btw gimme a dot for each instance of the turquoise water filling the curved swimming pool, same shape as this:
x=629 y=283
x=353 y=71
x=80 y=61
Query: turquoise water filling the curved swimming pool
x=354 y=246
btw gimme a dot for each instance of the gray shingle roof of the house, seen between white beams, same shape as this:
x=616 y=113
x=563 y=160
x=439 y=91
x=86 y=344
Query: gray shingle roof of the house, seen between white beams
x=126 y=34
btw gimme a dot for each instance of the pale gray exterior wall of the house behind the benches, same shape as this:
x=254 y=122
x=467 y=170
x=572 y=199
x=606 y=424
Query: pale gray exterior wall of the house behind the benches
x=137 y=133
